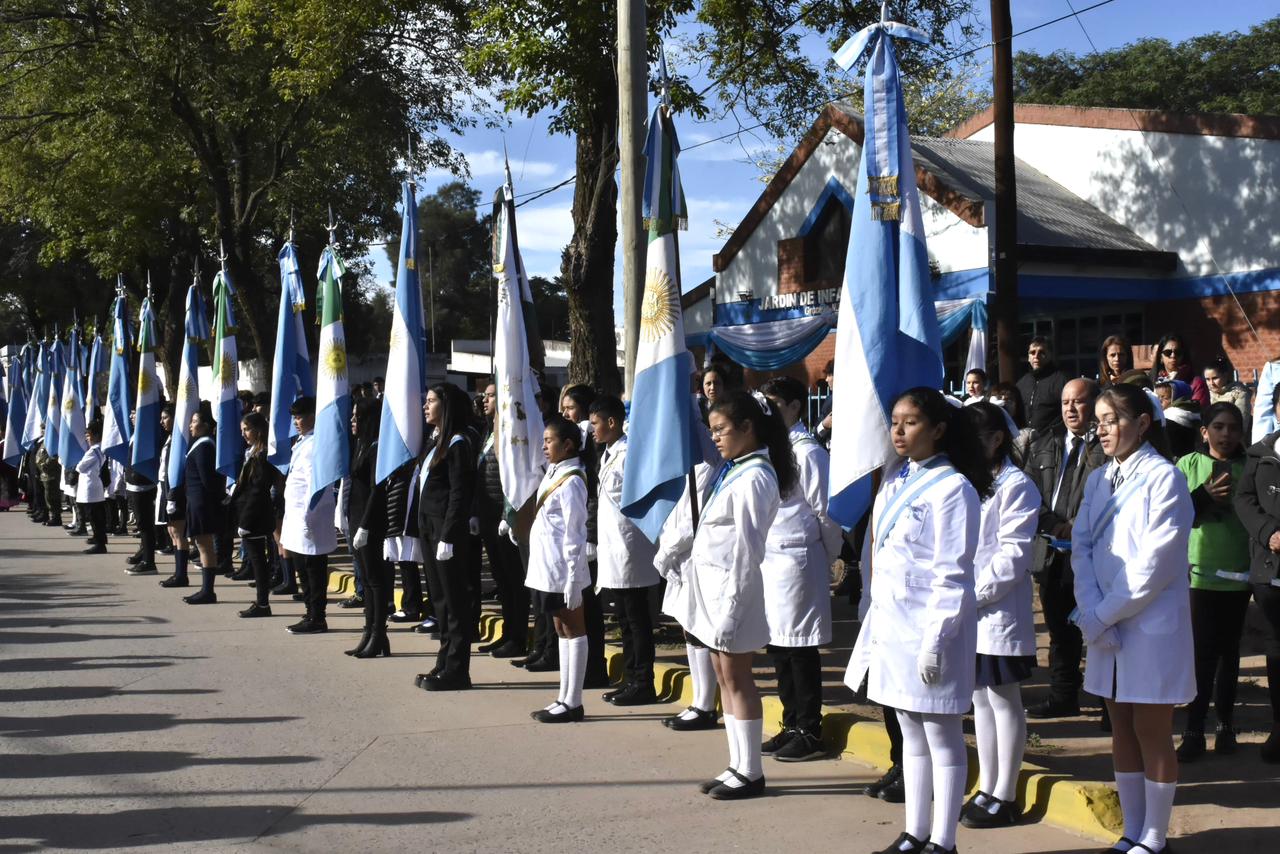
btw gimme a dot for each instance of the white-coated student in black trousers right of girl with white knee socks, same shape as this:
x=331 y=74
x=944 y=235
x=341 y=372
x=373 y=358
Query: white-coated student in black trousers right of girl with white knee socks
x=625 y=559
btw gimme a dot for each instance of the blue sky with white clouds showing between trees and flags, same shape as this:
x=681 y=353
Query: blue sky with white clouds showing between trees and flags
x=721 y=185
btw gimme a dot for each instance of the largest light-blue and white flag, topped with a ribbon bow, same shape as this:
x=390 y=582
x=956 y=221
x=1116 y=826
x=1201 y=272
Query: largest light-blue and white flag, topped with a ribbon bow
x=888 y=337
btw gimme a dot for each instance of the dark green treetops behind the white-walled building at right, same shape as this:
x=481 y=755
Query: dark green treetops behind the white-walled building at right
x=1213 y=74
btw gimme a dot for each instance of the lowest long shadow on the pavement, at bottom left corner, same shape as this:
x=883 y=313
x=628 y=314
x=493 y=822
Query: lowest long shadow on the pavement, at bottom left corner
x=184 y=825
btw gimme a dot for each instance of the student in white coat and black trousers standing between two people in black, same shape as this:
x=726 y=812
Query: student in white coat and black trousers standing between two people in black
x=307 y=533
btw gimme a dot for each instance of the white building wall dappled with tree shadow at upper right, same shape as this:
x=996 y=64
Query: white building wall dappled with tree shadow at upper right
x=1201 y=197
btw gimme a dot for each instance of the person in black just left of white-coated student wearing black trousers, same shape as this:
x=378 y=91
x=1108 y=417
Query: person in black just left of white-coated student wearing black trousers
x=259 y=505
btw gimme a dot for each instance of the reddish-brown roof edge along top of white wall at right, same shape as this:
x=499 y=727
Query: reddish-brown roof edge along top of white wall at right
x=1217 y=125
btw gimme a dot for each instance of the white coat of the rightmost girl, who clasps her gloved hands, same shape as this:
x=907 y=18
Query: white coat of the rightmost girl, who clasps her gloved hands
x=1132 y=574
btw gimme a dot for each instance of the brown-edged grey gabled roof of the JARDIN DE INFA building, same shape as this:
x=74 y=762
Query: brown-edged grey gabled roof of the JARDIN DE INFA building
x=1054 y=225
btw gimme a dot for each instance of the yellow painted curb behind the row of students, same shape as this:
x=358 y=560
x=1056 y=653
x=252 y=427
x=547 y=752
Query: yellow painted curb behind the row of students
x=1086 y=809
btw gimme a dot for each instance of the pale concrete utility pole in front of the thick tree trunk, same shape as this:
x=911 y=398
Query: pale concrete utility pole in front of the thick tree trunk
x=633 y=99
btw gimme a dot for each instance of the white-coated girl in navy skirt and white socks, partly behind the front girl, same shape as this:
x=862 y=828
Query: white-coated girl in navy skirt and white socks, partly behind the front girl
x=1007 y=624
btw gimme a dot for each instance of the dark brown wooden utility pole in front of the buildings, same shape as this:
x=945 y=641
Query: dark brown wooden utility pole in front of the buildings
x=1004 y=257
